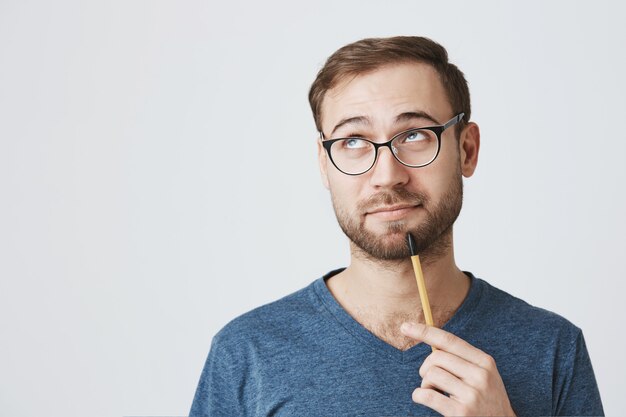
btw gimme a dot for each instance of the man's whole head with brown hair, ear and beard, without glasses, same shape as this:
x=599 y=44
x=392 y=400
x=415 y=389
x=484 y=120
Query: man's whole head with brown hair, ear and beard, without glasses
x=375 y=89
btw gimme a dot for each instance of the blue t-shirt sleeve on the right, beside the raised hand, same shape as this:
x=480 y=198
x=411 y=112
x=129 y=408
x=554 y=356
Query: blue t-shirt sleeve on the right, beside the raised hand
x=576 y=390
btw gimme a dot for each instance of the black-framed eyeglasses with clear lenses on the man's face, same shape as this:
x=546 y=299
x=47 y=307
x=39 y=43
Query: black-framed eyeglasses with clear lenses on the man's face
x=414 y=148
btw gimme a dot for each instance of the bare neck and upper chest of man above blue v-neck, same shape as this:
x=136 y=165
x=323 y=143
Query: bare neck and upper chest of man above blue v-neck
x=381 y=293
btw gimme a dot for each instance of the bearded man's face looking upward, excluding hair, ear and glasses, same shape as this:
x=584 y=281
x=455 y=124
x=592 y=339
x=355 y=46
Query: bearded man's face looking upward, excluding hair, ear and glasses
x=376 y=209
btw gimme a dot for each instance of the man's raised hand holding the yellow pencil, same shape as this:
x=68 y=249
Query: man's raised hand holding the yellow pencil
x=466 y=373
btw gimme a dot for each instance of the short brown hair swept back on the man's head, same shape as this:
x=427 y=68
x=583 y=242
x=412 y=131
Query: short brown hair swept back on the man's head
x=370 y=54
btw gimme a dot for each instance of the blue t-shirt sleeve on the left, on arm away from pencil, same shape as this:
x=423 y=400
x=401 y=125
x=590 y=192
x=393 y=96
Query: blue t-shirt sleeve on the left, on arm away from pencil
x=220 y=390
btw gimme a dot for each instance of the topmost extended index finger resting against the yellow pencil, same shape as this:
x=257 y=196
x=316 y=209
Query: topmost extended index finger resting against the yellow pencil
x=446 y=341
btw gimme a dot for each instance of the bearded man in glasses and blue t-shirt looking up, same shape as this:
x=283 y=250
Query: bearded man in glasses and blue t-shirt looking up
x=395 y=141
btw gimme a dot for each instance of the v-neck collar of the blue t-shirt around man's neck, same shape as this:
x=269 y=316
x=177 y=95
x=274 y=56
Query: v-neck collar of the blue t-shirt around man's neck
x=454 y=325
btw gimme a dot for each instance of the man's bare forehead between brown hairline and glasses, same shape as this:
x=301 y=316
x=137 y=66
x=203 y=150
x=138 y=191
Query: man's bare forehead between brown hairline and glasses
x=383 y=94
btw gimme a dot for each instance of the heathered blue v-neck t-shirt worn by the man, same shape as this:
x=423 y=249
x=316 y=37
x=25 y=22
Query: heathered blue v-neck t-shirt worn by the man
x=304 y=355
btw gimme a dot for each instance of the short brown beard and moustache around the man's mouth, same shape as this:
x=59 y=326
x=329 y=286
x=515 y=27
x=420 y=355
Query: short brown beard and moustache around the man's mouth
x=433 y=236
